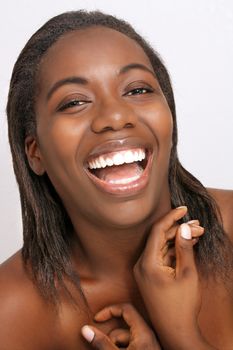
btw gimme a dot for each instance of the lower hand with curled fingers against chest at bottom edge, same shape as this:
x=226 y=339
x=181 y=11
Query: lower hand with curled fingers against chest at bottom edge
x=138 y=337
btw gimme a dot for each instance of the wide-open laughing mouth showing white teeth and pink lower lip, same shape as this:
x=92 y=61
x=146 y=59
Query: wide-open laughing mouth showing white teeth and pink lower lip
x=120 y=172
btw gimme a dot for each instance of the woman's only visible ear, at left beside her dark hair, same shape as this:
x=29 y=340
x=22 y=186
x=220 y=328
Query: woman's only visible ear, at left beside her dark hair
x=34 y=157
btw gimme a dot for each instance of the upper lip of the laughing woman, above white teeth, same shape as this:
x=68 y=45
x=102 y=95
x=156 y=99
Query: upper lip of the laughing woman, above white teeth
x=118 y=145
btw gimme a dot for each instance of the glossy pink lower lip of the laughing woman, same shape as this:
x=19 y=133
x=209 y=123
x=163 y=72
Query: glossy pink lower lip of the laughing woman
x=127 y=189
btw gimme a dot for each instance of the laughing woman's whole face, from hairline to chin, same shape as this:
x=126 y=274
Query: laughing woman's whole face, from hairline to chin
x=100 y=104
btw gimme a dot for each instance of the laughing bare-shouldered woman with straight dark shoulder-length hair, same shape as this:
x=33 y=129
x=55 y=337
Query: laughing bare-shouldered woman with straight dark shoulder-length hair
x=110 y=217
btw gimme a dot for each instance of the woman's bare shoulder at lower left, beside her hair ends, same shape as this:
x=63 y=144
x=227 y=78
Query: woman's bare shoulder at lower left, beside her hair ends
x=25 y=319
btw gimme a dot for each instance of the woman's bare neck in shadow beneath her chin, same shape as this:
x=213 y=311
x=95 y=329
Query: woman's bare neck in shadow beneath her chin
x=100 y=251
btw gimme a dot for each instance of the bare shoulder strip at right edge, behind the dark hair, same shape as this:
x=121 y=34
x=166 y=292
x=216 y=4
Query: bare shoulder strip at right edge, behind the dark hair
x=224 y=199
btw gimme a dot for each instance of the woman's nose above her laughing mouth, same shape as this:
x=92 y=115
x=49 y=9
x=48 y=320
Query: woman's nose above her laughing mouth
x=113 y=115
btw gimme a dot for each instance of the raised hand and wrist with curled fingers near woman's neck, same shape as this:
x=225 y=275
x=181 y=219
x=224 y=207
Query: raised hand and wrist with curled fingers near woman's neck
x=171 y=290
